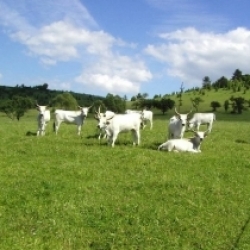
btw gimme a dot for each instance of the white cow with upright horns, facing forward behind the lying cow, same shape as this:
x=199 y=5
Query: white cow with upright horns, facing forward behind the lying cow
x=177 y=125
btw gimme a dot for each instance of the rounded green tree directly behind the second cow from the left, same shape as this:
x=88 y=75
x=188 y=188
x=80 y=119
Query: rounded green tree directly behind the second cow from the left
x=65 y=101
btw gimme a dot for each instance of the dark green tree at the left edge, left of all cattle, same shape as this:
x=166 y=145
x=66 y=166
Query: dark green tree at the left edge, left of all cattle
x=16 y=107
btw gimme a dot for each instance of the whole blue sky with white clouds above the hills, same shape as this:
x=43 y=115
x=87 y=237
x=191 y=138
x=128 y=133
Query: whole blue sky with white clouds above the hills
x=122 y=47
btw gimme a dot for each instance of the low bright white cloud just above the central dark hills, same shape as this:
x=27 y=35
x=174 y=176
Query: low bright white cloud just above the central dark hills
x=116 y=74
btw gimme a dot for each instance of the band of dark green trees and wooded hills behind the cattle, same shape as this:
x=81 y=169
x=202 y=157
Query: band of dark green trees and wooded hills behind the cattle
x=15 y=101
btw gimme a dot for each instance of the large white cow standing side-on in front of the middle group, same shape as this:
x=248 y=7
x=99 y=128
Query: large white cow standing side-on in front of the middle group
x=121 y=123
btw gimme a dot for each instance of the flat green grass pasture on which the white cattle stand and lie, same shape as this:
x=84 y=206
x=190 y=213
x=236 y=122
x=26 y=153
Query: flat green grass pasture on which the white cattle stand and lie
x=71 y=192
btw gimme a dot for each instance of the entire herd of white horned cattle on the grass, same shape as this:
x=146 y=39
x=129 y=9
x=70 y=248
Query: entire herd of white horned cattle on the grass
x=111 y=124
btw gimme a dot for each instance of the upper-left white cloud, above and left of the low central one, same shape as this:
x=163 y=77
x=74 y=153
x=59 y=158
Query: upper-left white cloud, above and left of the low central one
x=62 y=41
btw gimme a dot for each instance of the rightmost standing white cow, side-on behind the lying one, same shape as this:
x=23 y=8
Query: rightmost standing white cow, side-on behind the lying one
x=201 y=118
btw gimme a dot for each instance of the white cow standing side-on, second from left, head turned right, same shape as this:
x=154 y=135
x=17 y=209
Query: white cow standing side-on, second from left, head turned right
x=71 y=117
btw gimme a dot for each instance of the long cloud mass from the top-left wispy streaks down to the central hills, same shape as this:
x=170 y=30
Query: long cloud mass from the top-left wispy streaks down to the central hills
x=63 y=36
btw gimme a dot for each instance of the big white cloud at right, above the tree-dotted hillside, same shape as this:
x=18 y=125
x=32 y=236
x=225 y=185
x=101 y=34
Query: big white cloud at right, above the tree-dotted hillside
x=190 y=55
